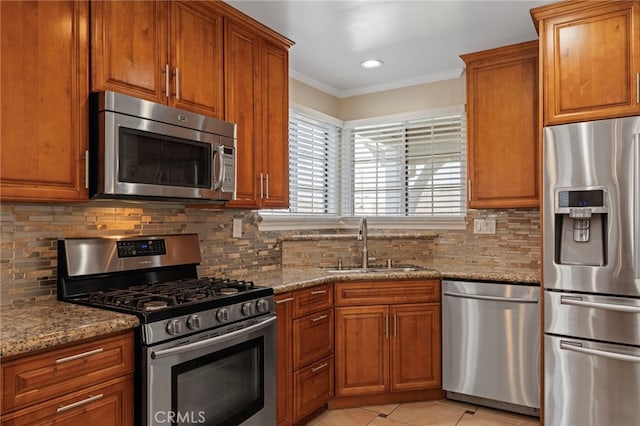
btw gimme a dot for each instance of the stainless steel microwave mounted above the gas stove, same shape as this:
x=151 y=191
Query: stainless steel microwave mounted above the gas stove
x=143 y=150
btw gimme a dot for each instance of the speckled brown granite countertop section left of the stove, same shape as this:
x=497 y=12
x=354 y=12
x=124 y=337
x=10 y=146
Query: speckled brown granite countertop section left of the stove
x=30 y=326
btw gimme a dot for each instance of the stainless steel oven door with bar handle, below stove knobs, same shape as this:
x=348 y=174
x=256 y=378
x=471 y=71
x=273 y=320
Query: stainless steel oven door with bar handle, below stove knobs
x=221 y=377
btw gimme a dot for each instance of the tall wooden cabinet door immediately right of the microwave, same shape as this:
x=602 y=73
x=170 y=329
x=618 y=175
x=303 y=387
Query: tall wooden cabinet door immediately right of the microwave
x=242 y=106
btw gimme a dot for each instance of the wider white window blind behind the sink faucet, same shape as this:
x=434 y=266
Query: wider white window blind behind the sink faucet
x=411 y=168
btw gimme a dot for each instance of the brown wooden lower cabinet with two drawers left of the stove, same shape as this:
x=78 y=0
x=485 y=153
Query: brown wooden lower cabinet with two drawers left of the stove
x=88 y=383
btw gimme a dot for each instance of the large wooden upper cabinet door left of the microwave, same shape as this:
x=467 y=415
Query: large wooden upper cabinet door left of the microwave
x=44 y=80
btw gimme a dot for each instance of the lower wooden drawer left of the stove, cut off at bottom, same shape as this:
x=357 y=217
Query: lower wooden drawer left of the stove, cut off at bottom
x=108 y=404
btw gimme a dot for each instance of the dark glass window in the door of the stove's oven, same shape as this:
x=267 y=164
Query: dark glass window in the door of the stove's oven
x=221 y=388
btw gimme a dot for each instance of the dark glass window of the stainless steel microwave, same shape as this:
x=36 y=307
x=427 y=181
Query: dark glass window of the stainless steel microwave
x=154 y=159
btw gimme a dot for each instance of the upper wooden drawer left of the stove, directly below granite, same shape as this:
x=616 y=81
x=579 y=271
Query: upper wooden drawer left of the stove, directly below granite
x=36 y=378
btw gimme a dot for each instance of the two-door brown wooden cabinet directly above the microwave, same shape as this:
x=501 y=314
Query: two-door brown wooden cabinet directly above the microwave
x=165 y=52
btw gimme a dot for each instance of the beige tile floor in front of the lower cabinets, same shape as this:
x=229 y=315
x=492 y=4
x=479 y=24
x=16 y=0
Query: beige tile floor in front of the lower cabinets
x=431 y=413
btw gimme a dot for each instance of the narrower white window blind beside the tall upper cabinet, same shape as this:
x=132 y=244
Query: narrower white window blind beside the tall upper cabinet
x=313 y=163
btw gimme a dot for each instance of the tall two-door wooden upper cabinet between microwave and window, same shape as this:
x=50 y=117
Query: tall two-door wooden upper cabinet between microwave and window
x=257 y=100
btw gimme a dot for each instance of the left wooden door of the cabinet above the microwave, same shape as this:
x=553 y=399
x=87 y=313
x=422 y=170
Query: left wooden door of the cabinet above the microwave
x=129 y=48
